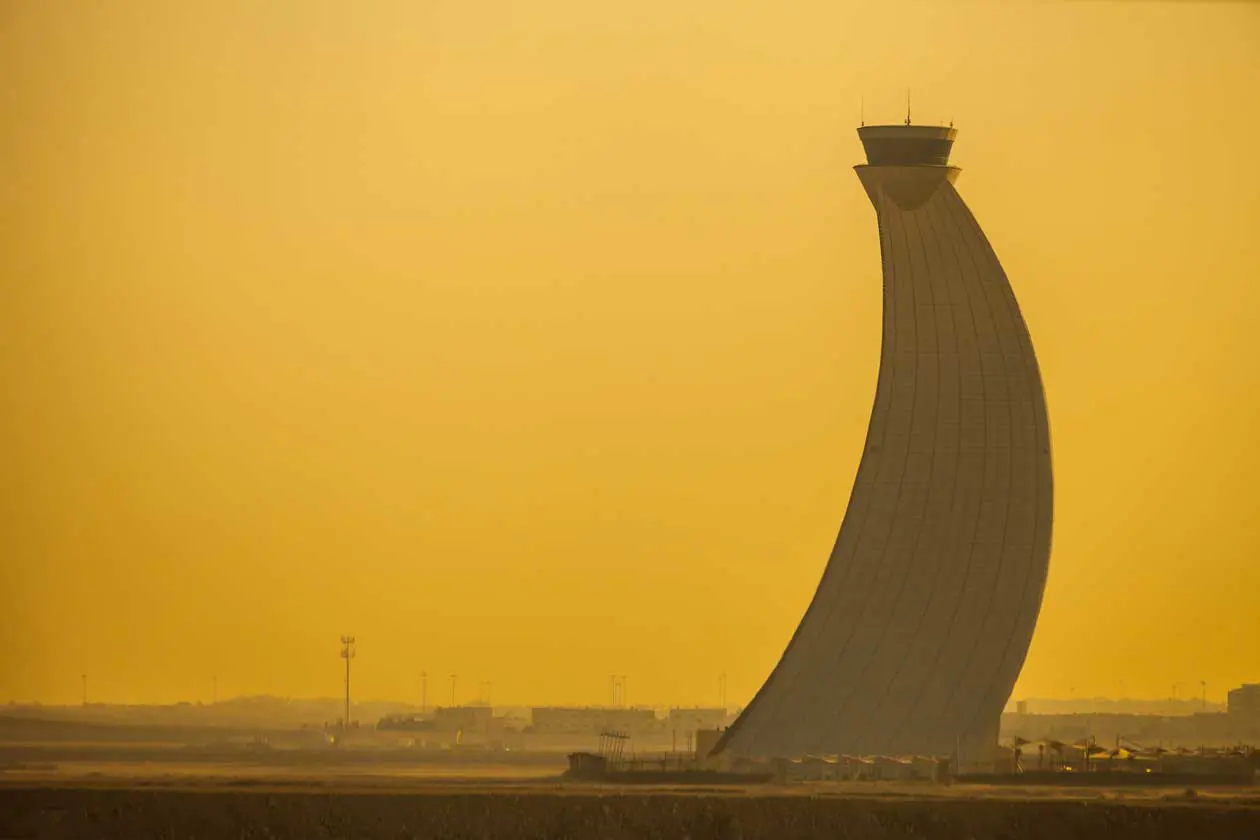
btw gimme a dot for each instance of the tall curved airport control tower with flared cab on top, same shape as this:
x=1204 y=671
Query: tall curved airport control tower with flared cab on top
x=924 y=615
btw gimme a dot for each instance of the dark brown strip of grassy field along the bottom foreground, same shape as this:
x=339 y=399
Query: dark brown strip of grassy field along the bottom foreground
x=482 y=810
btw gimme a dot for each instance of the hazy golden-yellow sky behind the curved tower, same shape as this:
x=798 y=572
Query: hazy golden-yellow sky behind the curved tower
x=536 y=342
